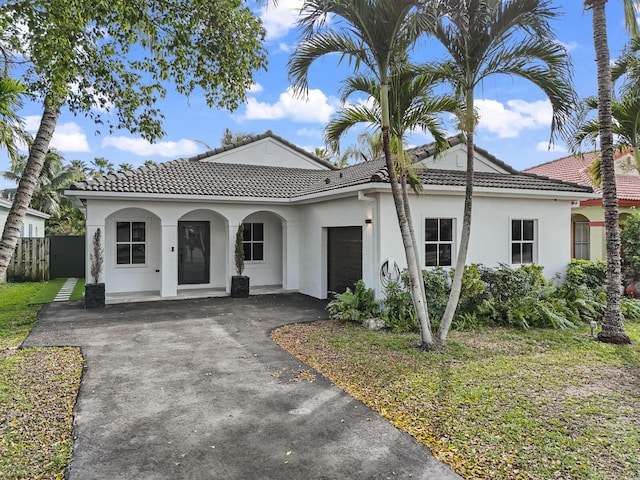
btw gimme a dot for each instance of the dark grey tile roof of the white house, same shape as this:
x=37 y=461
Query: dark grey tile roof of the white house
x=195 y=177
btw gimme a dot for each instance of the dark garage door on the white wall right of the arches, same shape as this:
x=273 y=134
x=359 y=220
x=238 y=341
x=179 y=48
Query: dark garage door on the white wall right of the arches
x=344 y=258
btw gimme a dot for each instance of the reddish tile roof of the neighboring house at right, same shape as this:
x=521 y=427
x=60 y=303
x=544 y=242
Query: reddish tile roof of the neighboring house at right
x=574 y=169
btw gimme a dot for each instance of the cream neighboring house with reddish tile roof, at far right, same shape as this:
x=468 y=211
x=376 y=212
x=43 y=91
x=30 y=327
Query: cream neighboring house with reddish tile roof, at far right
x=587 y=216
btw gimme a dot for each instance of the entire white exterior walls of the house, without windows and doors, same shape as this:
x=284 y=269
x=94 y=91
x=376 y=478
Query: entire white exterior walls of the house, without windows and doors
x=296 y=237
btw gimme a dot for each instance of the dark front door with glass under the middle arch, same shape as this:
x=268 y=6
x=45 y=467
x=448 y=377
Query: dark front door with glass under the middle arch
x=193 y=253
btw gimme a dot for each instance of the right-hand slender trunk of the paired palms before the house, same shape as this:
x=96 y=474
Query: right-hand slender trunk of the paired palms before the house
x=456 y=284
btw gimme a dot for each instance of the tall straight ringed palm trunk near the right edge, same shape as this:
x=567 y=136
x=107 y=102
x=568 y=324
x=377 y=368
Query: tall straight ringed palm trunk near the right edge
x=612 y=323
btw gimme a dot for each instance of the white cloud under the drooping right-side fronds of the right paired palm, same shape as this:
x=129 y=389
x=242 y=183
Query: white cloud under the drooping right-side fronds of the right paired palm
x=508 y=121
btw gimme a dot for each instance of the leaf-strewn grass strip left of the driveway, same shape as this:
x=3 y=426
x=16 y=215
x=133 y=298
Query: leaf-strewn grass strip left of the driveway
x=38 y=390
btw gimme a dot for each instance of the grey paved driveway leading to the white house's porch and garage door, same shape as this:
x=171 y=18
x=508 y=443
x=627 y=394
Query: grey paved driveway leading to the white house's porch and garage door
x=196 y=390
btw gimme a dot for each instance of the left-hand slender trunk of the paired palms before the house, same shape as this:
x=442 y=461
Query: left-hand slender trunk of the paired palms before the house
x=415 y=273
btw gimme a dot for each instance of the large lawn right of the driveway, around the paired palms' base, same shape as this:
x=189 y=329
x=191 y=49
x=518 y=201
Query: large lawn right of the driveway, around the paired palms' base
x=498 y=403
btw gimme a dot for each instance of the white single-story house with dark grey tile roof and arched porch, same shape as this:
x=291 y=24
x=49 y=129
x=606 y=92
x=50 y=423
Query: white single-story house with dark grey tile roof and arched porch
x=310 y=227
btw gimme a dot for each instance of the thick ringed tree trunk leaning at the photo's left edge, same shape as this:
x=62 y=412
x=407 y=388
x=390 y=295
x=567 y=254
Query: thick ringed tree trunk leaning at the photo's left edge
x=27 y=185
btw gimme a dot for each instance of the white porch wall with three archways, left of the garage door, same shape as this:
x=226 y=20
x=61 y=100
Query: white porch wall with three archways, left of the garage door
x=160 y=273
